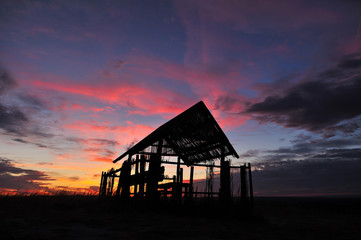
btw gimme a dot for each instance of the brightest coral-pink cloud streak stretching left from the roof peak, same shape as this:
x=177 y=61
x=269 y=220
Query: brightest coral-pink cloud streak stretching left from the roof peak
x=139 y=98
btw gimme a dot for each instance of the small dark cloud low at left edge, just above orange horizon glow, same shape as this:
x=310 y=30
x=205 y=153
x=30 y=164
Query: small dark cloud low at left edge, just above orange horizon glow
x=16 y=178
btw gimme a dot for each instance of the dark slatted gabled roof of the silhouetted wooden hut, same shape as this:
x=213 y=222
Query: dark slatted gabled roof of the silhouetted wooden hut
x=193 y=135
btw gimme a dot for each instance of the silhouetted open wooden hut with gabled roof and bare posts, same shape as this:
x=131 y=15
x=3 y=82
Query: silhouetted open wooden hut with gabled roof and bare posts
x=191 y=139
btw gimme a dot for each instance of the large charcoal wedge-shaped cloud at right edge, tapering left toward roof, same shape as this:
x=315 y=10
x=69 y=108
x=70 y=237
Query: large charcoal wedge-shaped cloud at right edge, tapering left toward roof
x=332 y=98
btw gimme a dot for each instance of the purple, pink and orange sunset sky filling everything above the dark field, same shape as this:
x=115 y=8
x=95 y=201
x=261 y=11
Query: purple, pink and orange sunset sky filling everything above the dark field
x=81 y=81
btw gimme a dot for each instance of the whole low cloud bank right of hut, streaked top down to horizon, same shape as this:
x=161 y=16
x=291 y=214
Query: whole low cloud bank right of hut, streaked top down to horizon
x=310 y=166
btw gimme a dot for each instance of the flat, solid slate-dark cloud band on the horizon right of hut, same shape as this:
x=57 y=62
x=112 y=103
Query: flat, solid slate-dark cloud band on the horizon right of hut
x=309 y=177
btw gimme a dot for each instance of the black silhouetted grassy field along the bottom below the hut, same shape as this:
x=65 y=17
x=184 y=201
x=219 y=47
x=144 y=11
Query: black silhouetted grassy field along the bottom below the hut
x=86 y=217
